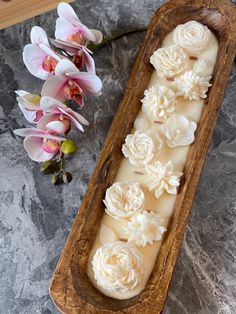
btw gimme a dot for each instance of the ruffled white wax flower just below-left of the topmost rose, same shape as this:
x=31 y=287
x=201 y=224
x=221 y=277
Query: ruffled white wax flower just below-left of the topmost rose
x=169 y=61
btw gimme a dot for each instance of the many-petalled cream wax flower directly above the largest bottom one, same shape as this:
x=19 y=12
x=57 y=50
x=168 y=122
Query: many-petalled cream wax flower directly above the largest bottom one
x=145 y=228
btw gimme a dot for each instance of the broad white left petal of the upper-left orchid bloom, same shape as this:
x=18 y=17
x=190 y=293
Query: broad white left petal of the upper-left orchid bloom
x=33 y=58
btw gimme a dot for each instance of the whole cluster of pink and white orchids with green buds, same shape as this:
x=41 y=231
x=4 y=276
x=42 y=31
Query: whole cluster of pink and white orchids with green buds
x=67 y=67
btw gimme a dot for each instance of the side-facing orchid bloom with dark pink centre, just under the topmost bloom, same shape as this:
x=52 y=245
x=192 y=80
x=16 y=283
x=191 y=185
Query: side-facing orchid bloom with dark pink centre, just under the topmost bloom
x=81 y=55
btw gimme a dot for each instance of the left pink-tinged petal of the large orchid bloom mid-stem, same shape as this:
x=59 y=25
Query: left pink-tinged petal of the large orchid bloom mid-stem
x=53 y=87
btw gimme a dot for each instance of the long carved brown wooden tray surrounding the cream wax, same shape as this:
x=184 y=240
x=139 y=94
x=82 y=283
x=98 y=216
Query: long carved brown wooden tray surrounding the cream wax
x=71 y=289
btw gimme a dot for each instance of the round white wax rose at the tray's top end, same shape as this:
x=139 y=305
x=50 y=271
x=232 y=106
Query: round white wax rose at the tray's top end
x=192 y=37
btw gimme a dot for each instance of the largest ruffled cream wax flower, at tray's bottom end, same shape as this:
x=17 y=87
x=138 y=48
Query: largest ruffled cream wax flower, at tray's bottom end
x=118 y=266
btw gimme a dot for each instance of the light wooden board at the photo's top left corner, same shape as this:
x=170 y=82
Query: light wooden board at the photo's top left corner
x=15 y=11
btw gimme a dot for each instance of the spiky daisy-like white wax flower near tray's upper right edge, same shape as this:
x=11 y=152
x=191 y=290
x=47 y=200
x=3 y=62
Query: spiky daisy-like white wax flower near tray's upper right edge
x=192 y=86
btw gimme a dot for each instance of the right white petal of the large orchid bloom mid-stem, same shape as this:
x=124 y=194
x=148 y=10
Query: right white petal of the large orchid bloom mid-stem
x=89 y=82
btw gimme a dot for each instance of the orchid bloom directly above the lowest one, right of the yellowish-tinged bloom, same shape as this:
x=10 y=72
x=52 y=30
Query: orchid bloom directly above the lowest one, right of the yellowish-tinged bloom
x=58 y=117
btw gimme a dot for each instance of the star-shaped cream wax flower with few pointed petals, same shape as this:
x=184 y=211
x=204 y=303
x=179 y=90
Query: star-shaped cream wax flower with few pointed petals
x=163 y=178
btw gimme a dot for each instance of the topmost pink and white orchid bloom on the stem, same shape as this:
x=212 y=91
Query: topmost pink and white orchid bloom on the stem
x=70 y=28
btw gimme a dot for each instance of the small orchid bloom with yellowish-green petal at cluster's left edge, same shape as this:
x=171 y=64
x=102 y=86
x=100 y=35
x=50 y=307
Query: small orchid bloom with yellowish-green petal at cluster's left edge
x=29 y=105
